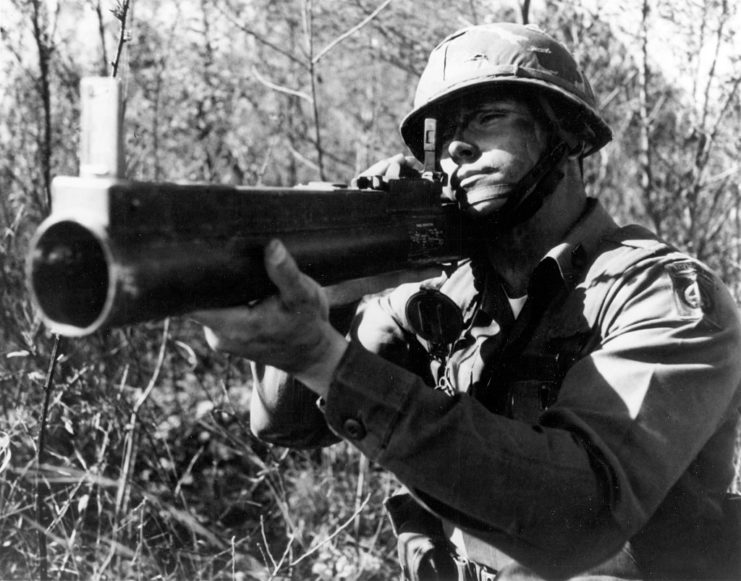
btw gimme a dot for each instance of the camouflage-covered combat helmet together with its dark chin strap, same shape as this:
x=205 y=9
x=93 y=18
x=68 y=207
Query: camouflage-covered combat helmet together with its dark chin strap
x=512 y=59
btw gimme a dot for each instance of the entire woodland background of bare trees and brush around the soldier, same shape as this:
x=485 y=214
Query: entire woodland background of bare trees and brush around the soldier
x=130 y=456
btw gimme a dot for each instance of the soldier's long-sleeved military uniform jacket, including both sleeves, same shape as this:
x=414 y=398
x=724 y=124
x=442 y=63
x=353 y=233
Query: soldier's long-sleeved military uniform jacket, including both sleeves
x=600 y=422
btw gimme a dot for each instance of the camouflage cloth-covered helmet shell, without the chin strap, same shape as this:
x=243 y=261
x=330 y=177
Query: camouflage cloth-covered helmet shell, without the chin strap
x=491 y=57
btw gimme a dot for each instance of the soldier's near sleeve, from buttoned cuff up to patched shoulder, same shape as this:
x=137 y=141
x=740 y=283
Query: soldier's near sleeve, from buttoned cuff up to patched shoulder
x=630 y=418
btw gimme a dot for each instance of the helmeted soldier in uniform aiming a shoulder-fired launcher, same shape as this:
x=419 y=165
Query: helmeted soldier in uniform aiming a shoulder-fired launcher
x=571 y=409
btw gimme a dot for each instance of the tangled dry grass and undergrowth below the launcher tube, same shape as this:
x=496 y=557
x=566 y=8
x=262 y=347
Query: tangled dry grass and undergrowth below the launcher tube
x=150 y=472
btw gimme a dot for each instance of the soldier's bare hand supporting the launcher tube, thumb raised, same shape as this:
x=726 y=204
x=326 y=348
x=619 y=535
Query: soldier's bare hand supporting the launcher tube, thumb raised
x=290 y=330
